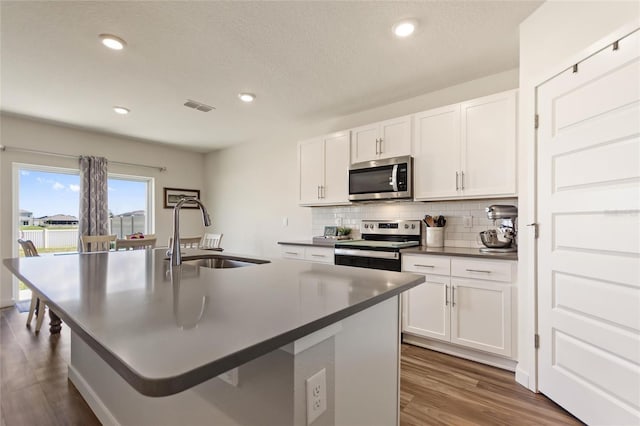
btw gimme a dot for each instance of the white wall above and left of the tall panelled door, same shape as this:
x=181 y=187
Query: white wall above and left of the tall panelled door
x=554 y=37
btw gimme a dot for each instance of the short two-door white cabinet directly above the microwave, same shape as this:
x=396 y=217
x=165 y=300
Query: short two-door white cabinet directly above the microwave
x=385 y=139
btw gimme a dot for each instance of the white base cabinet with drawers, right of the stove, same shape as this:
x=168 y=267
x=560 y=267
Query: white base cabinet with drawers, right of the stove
x=463 y=310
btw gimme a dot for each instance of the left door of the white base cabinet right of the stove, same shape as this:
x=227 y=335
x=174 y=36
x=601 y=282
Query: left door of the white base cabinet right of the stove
x=426 y=309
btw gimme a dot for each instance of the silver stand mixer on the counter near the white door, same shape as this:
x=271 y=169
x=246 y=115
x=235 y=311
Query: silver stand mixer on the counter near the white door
x=503 y=238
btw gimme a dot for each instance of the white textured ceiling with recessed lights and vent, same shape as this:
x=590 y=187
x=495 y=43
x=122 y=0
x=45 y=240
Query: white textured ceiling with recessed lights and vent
x=305 y=61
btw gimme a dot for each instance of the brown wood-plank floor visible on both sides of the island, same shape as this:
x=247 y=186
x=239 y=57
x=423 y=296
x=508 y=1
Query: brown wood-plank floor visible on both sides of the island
x=435 y=388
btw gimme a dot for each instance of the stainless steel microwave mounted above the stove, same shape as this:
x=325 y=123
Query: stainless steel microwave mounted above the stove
x=391 y=178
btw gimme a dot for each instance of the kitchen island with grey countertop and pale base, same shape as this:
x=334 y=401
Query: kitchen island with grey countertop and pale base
x=152 y=344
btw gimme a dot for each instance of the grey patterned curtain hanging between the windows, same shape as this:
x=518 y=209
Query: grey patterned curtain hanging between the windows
x=94 y=210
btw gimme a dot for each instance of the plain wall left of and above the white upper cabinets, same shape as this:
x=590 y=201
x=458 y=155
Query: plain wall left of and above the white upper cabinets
x=252 y=187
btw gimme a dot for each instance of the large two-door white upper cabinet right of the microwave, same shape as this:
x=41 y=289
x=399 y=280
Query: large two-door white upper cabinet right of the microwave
x=466 y=150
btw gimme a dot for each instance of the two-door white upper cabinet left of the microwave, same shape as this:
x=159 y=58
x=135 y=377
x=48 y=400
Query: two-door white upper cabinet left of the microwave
x=323 y=165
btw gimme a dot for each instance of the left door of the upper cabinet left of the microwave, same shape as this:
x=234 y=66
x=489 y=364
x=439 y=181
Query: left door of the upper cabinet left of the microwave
x=311 y=170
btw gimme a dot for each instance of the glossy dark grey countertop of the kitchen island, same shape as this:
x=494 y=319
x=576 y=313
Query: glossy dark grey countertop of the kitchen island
x=165 y=331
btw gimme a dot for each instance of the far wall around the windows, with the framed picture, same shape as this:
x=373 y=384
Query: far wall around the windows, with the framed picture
x=184 y=170
